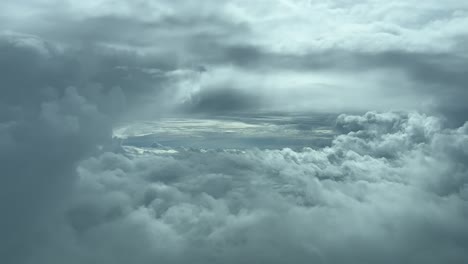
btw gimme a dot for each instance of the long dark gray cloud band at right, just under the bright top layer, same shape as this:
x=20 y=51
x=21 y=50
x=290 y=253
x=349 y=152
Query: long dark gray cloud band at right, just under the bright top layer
x=442 y=77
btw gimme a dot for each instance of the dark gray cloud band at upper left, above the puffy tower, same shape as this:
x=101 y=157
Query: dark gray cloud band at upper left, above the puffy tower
x=34 y=69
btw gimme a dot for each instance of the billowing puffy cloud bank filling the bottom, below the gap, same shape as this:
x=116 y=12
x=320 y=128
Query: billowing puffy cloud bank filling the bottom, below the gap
x=391 y=188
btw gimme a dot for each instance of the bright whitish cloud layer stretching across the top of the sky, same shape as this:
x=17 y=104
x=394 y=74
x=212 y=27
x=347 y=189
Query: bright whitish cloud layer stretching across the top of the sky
x=291 y=26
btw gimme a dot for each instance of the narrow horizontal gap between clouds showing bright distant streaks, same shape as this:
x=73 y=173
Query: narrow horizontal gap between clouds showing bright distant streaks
x=236 y=131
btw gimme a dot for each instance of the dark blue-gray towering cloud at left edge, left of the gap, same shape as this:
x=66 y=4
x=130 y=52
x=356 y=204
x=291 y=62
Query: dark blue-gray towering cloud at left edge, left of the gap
x=39 y=151
